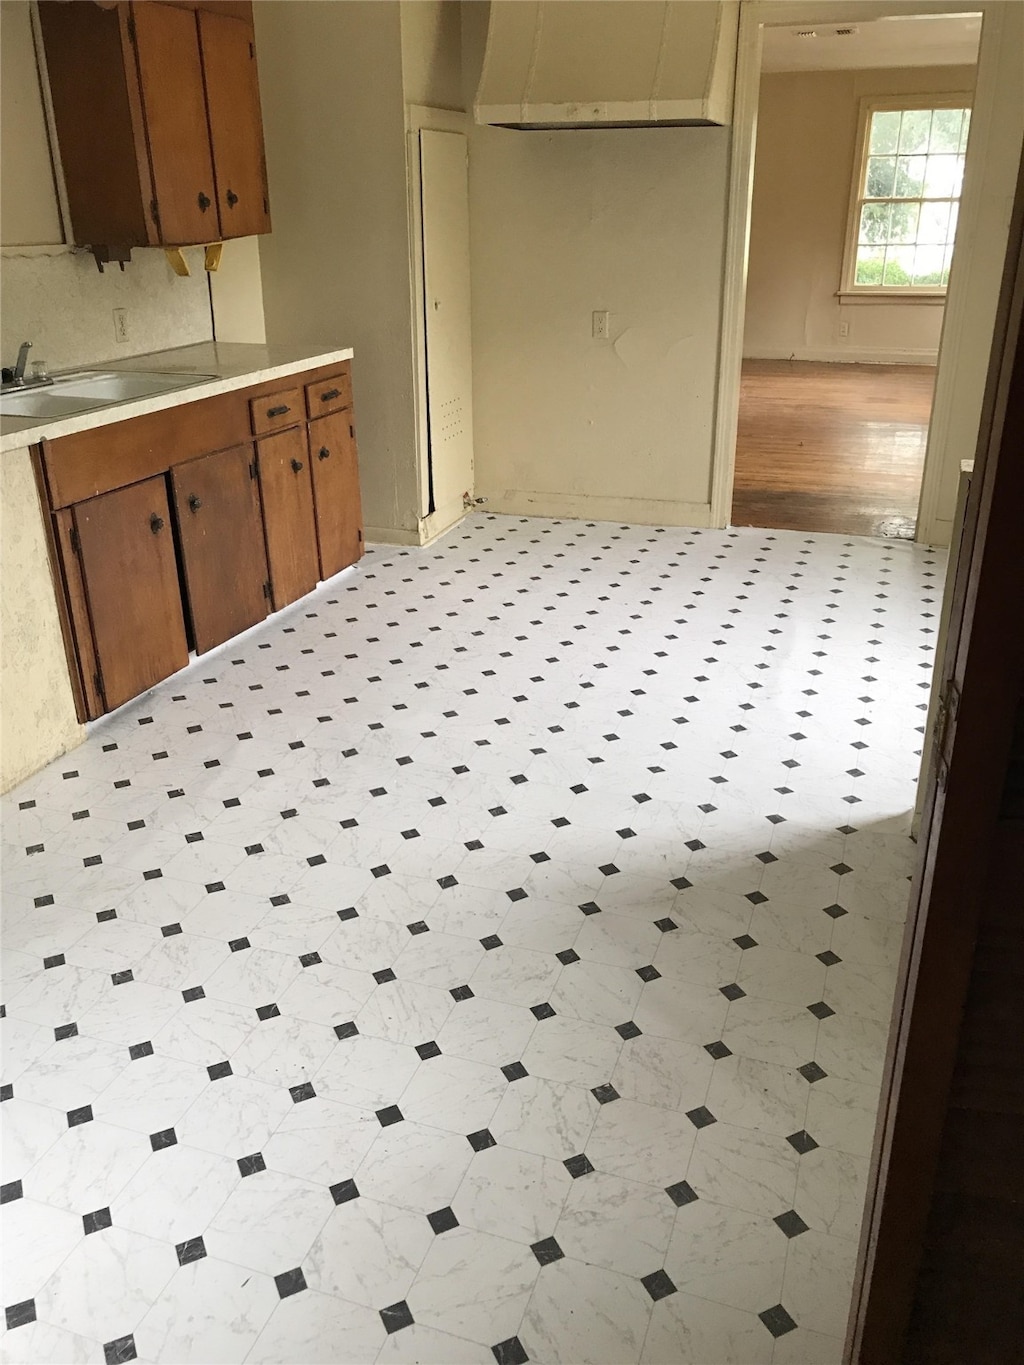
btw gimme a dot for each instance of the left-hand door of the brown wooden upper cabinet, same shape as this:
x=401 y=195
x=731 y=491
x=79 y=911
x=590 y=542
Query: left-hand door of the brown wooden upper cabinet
x=167 y=46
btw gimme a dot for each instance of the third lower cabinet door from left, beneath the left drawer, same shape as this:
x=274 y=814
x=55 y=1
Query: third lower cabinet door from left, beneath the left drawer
x=289 y=518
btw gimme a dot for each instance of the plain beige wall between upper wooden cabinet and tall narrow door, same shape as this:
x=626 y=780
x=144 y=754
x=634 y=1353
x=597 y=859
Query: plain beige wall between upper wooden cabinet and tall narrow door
x=337 y=267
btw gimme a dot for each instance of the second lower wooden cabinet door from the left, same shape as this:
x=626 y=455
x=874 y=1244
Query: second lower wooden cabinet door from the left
x=222 y=534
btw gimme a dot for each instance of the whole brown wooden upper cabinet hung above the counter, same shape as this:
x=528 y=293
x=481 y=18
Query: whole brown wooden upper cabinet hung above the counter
x=156 y=110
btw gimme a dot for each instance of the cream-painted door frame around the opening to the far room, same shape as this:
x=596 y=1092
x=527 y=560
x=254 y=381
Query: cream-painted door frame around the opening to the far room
x=754 y=17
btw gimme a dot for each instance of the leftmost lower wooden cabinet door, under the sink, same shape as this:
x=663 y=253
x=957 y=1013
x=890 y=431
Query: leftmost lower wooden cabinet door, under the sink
x=126 y=549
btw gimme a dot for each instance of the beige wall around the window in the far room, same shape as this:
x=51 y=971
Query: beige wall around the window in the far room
x=808 y=132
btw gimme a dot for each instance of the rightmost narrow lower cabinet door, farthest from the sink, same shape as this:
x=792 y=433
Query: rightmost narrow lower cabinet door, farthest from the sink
x=337 y=492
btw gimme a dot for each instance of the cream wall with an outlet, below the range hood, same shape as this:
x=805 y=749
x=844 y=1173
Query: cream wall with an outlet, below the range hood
x=573 y=222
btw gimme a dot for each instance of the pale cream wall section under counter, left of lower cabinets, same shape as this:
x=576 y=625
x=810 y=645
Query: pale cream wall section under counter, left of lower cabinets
x=38 y=710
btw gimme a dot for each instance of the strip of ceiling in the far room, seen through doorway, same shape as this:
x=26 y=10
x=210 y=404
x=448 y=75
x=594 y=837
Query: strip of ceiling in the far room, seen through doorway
x=905 y=42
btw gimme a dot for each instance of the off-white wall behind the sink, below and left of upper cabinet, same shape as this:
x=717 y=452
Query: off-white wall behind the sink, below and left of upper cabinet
x=55 y=297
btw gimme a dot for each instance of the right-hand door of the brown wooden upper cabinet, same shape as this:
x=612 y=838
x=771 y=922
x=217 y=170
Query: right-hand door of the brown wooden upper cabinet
x=237 y=130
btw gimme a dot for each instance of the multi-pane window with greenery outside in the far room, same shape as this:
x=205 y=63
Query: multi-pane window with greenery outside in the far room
x=906 y=197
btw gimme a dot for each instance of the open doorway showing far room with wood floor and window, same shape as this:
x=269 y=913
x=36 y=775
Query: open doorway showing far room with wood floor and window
x=861 y=145
